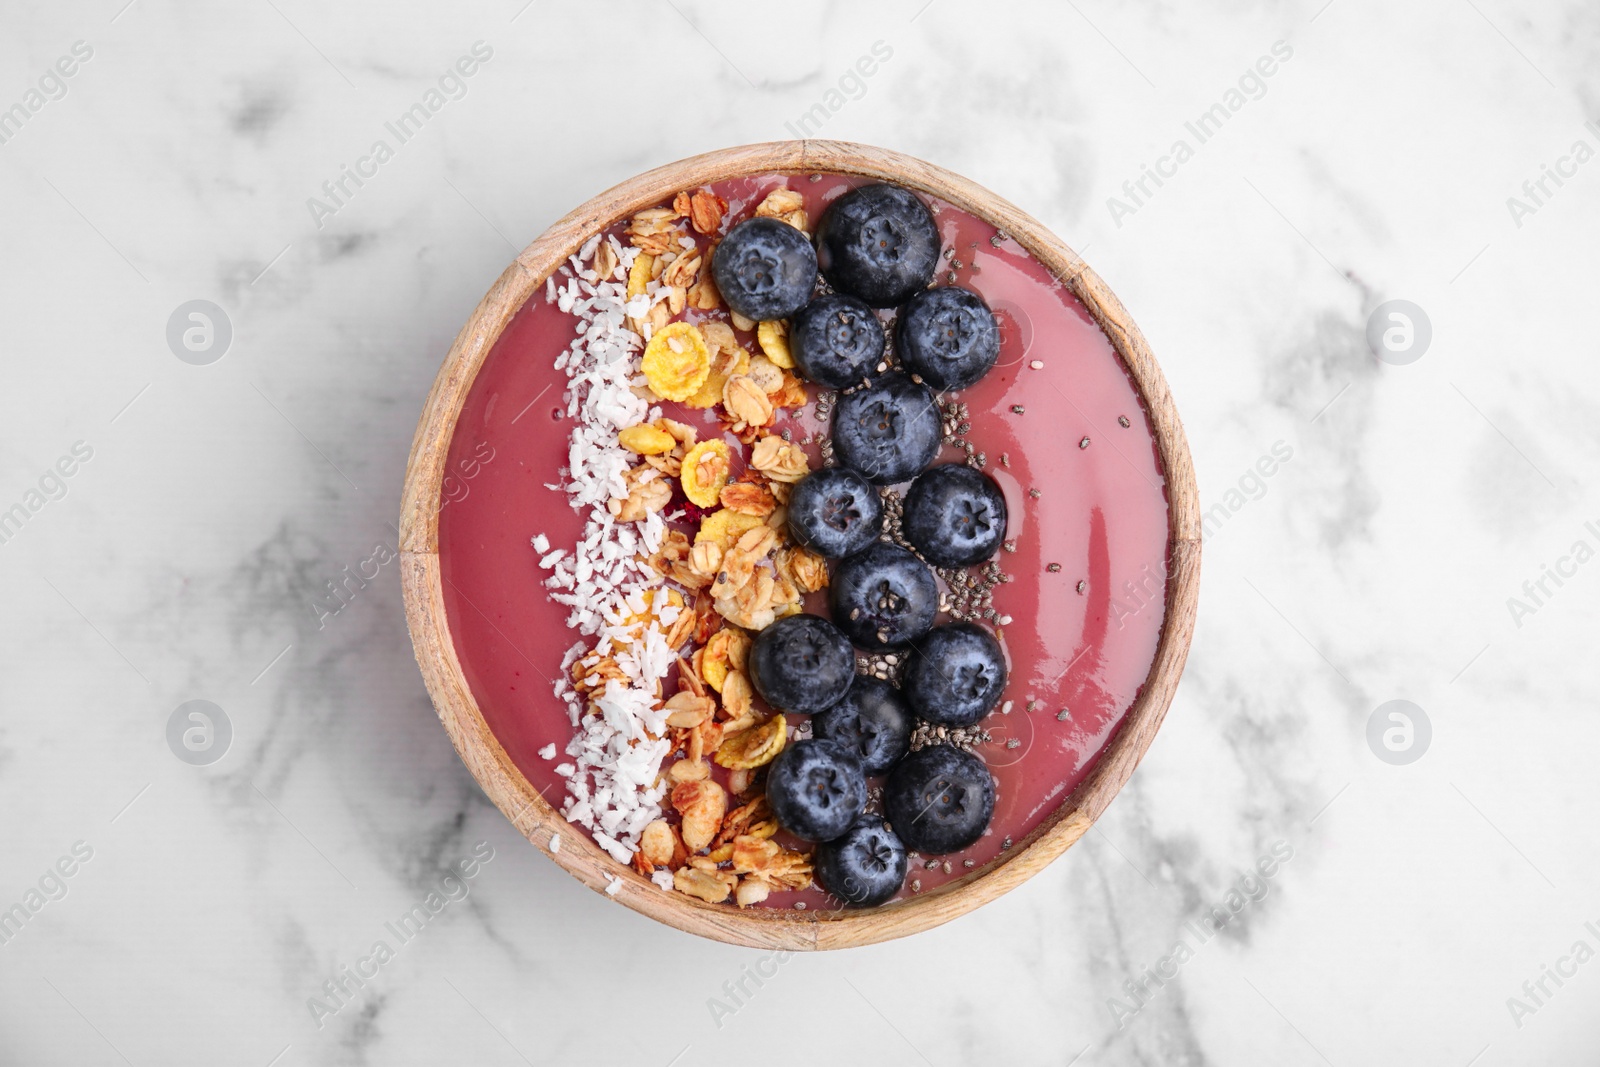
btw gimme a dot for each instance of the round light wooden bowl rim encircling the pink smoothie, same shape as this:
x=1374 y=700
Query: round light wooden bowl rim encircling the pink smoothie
x=505 y=783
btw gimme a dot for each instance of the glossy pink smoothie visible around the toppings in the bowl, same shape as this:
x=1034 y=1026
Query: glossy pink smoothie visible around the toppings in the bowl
x=1089 y=522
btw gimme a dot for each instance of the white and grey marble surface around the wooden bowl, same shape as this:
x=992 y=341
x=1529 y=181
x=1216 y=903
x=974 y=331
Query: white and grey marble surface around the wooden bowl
x=182 y=559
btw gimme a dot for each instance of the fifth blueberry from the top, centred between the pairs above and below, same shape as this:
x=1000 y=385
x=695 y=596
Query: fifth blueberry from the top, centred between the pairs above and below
x=889 y=431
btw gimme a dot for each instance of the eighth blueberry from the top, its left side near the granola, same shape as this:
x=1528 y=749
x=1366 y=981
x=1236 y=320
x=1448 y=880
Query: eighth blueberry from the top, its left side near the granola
x=884 y=597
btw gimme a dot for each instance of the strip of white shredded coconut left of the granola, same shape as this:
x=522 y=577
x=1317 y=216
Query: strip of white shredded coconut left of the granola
x=604 y=580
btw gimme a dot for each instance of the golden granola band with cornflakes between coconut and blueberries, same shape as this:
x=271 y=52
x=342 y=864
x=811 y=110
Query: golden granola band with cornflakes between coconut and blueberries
x=721 y=569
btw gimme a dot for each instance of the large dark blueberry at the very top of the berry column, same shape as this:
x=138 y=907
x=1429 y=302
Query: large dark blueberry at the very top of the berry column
x=878 y=242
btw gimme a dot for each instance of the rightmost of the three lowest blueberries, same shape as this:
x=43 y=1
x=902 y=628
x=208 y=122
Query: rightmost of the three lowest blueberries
x=940 y=799
